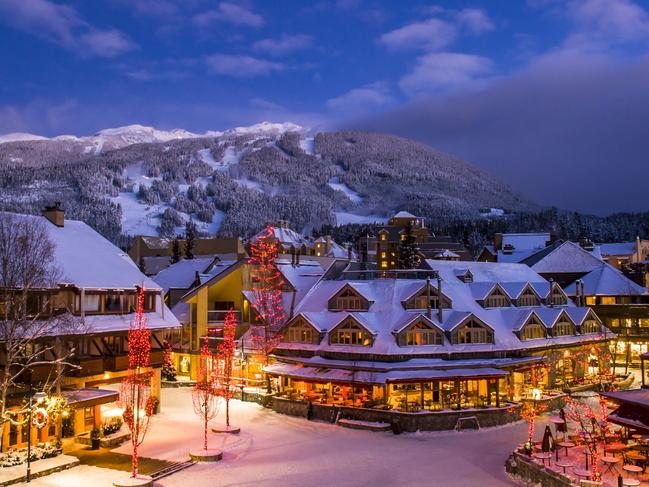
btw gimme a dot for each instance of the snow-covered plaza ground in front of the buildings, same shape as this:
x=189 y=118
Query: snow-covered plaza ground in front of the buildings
x=274 y=449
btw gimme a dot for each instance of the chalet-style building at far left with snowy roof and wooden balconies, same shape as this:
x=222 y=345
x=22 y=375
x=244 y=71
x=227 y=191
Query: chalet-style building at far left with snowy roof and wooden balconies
x=97 y=289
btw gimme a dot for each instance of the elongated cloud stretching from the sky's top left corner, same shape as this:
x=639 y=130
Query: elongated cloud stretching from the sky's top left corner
x=63 y=26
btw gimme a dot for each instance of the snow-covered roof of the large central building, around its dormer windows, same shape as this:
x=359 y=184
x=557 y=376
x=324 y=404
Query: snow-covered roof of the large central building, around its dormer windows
x=387 y=315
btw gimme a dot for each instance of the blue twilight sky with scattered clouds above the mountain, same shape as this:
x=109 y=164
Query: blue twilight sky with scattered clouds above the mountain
x=550 y=95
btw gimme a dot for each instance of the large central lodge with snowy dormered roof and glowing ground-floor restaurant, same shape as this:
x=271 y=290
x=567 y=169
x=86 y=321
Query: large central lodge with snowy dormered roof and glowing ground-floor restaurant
x=453 y=336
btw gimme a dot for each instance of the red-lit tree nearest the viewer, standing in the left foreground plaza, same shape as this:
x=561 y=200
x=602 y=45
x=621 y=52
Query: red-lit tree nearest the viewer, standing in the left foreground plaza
x=135 y=394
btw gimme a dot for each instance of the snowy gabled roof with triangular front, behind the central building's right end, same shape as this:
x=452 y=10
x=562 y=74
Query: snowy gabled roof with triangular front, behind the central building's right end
x=563 y=257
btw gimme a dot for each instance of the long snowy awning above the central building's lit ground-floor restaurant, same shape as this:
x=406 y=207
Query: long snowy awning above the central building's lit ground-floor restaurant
x=324 y=374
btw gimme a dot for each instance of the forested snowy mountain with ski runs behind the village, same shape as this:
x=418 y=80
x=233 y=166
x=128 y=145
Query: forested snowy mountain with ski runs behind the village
x=140 y=180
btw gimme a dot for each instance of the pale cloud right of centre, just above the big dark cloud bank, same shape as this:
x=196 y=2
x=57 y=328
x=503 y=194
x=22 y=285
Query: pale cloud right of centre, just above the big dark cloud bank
x=445 y=71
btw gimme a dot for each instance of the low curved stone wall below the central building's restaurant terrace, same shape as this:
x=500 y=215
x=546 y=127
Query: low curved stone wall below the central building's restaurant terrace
x=424 y=421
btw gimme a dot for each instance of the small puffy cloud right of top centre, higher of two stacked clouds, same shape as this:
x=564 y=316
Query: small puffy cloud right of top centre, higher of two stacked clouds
x=431 y=34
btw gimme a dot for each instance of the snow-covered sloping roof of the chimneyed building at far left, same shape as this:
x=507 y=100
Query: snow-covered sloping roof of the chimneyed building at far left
x=88 y=260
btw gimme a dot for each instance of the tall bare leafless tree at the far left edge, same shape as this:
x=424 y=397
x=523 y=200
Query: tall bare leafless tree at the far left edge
x=31 y=318
